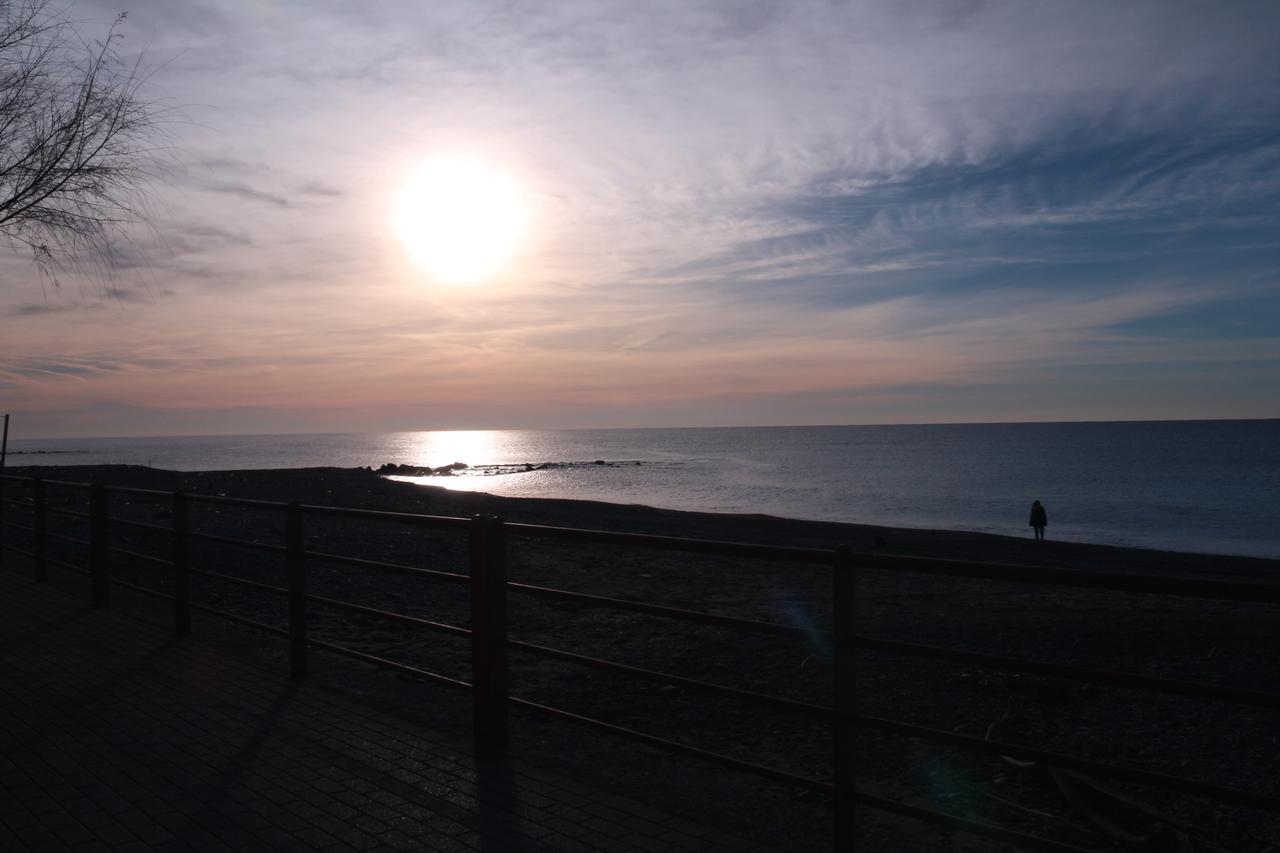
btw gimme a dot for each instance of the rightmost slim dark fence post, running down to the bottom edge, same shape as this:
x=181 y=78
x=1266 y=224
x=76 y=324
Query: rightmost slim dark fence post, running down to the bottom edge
x=844 y=619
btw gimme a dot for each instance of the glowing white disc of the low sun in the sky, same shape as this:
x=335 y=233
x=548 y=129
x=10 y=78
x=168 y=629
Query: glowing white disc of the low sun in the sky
x=461 y=220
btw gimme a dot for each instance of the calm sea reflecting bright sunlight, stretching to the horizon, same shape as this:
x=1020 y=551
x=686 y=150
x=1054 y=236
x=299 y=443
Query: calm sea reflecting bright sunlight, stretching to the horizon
x=1204 y=486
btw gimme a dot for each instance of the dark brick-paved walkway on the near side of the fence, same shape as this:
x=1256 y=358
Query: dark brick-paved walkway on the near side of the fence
x=116 y=737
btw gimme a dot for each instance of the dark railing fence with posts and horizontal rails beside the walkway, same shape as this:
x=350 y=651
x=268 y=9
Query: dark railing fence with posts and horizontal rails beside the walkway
x=487 y=632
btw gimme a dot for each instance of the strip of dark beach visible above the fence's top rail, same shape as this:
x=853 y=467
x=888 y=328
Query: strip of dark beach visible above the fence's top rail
x=365 y=489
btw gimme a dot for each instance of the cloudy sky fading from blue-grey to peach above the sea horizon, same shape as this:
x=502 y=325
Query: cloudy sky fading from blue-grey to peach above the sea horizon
x=734 y=213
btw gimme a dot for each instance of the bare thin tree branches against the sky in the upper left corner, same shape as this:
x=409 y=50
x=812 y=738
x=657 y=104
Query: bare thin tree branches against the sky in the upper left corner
x=75 y=134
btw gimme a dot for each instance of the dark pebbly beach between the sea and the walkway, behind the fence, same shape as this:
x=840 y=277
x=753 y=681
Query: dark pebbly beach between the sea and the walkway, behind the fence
x=1190 y=640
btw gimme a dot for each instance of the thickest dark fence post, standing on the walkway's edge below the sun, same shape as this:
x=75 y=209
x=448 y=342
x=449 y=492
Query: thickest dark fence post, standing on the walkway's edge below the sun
x=490 y=635
